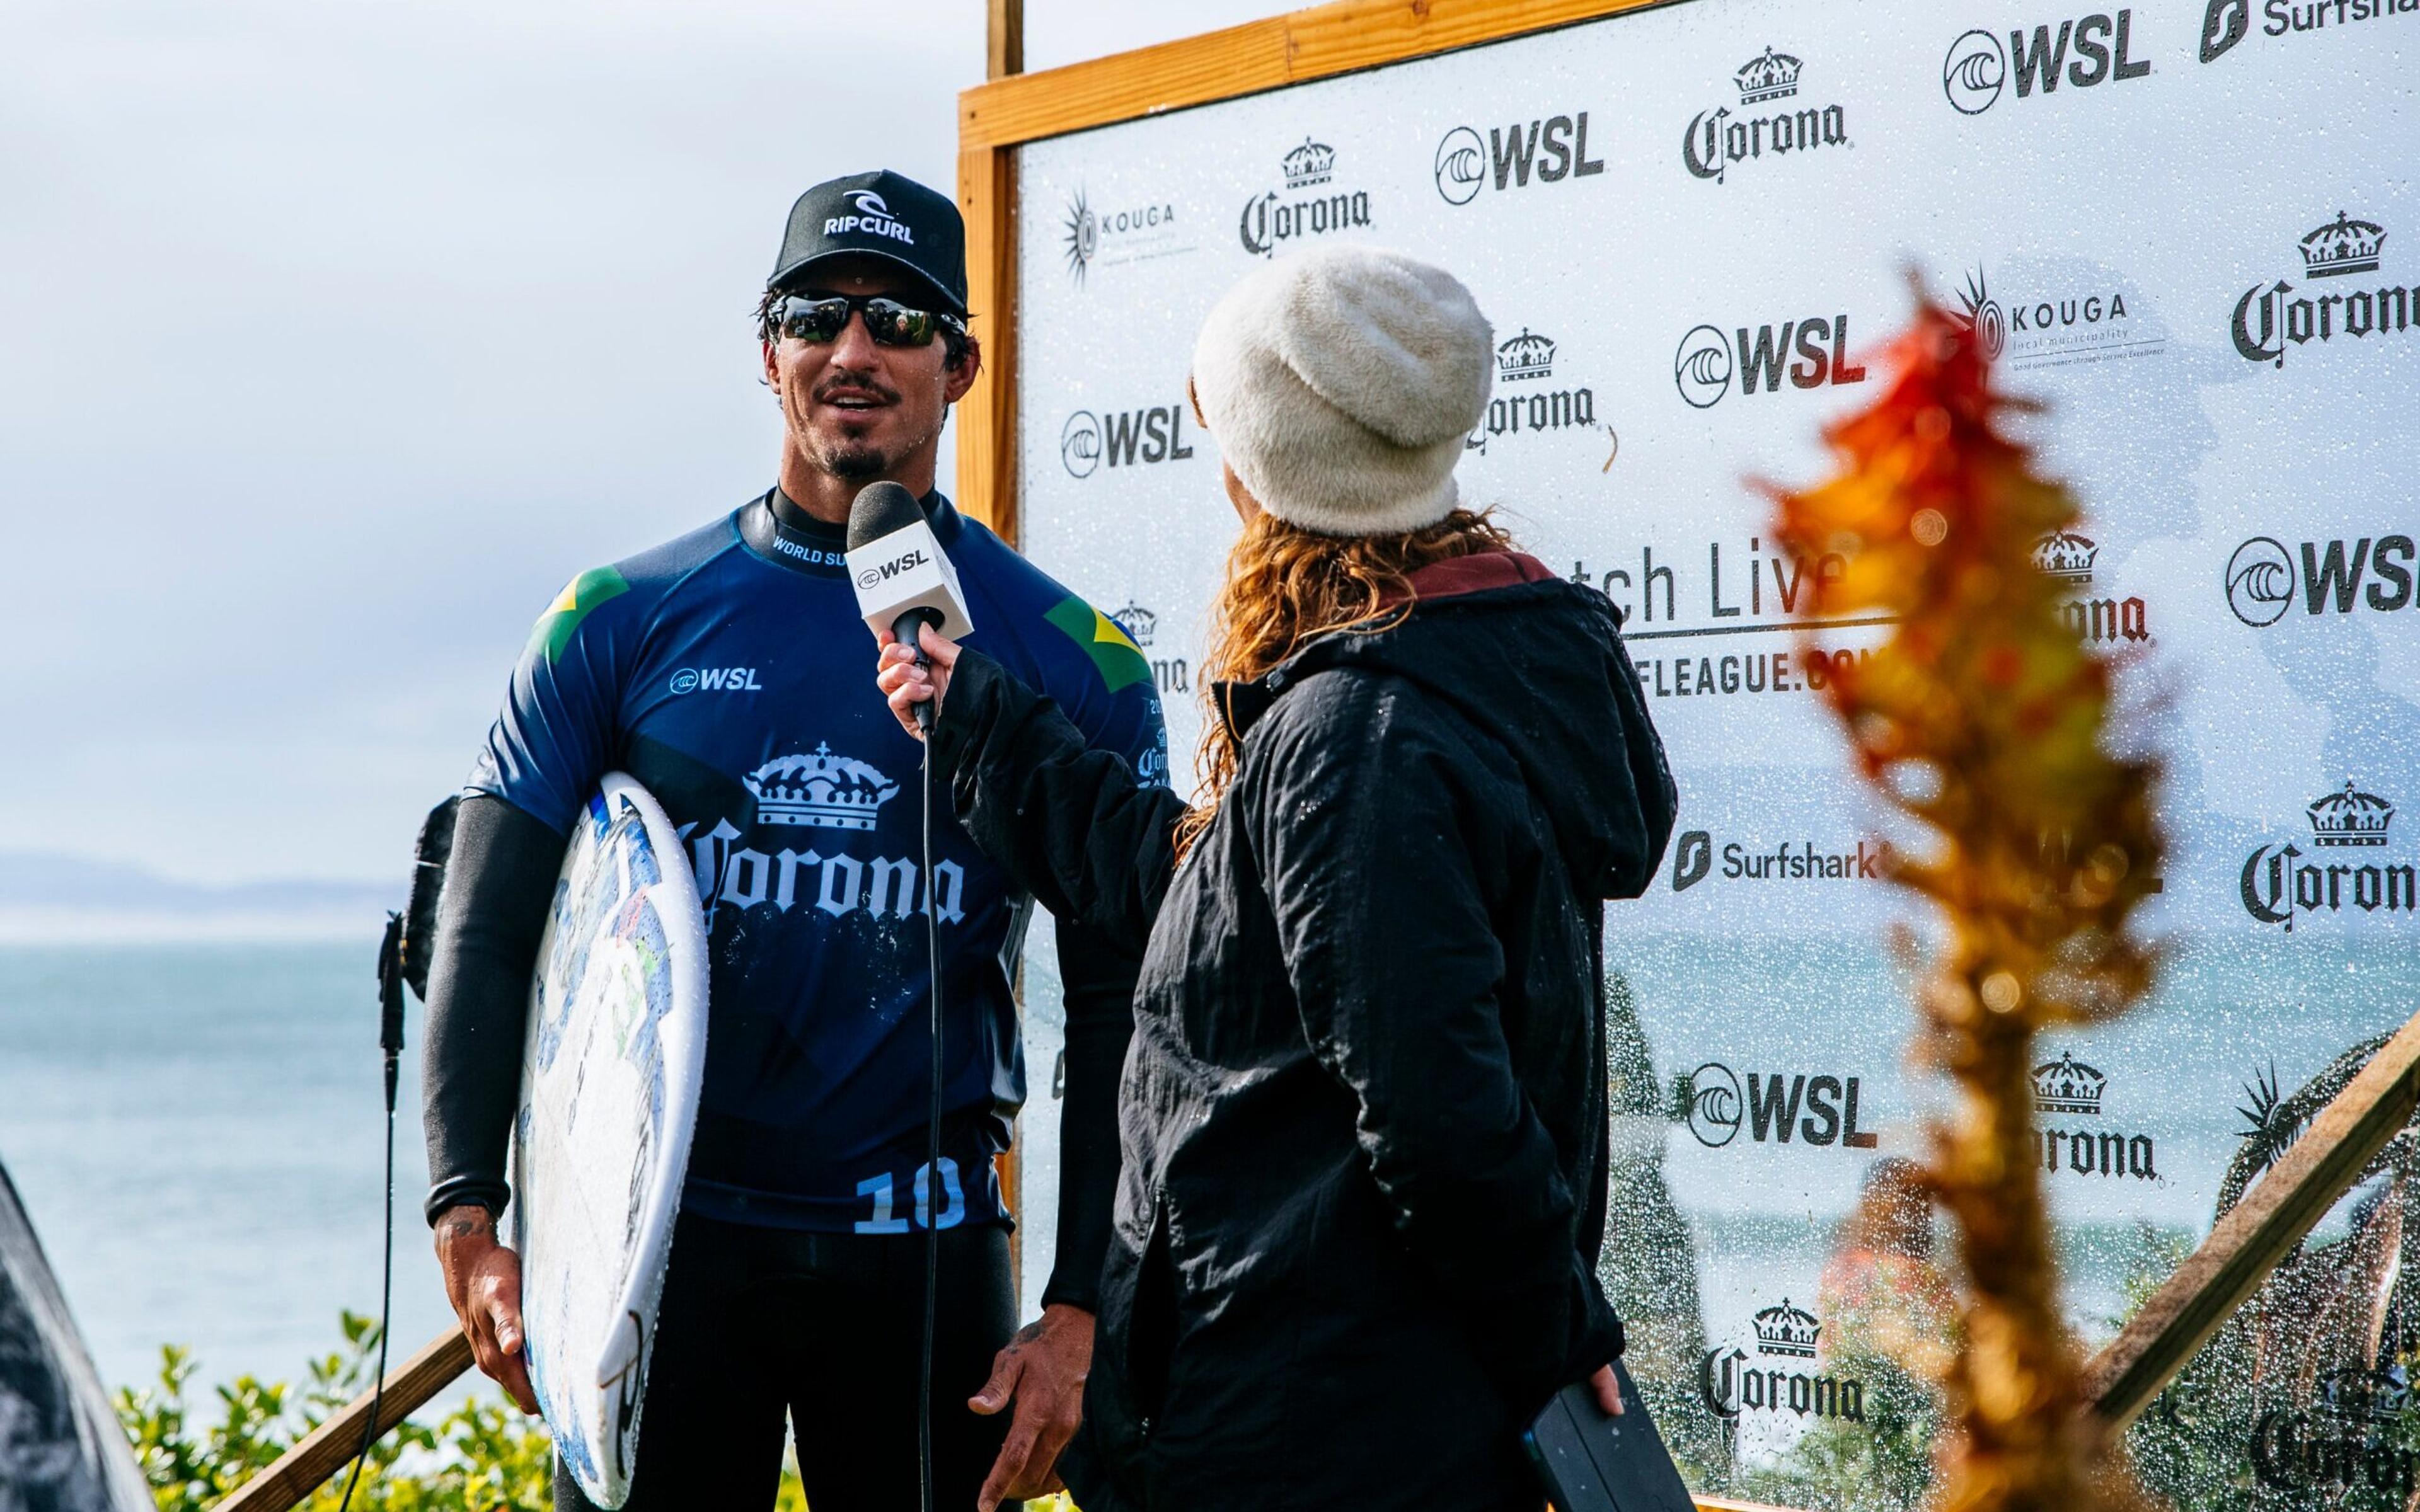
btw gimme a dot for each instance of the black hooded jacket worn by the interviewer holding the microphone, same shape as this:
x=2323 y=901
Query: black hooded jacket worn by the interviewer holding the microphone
x=1364 y=1114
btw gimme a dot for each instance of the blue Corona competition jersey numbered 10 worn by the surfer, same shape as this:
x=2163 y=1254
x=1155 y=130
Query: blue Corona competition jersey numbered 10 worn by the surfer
x=732 y=676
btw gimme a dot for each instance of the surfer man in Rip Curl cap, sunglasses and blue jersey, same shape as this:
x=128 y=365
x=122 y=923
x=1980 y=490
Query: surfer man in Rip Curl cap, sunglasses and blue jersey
x=727 y=674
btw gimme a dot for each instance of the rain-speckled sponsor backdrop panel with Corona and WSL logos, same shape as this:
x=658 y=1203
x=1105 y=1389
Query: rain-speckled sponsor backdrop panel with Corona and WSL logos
x=2191 y=231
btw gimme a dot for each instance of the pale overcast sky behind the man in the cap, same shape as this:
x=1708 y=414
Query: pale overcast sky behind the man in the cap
x=342 y=333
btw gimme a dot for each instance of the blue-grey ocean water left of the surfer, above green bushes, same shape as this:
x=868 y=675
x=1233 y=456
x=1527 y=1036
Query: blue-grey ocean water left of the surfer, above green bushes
x=197 y=1136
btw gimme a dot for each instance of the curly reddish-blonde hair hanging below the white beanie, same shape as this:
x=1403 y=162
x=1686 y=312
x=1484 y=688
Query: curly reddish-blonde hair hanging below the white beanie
x=1284 y=589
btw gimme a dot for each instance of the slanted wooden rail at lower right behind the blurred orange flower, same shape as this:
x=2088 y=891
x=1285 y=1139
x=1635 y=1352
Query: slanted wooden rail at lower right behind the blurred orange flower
x=2257 y=1233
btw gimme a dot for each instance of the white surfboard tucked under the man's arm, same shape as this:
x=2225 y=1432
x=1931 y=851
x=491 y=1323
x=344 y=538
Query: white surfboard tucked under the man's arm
x=609 y=1100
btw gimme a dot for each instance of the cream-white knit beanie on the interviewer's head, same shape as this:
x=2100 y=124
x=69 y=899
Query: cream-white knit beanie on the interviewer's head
x=1342 y=386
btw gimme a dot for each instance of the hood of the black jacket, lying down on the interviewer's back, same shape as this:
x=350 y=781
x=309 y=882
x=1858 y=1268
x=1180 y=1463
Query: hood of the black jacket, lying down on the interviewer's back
x=1538 y=664
